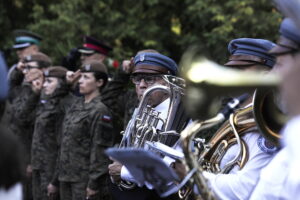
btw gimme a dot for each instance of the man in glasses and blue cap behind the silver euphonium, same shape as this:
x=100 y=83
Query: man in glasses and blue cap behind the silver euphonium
x=148 y=70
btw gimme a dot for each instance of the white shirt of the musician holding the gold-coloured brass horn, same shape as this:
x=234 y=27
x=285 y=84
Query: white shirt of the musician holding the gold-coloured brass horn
x=238 y=184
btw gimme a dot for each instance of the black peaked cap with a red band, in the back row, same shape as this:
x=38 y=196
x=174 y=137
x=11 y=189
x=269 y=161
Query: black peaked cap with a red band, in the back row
x=92 y=45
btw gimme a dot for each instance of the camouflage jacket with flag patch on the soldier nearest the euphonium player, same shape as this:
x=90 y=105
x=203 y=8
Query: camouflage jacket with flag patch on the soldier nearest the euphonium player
x=86 y=132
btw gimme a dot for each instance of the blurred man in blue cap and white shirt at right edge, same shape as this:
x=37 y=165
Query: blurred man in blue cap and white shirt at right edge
x=280 y=179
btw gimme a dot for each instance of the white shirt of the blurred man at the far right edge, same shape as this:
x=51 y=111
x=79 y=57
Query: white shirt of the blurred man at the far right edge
x=280 y=180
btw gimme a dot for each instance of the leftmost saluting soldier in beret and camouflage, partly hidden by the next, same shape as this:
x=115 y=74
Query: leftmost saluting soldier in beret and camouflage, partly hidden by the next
x=21 y=123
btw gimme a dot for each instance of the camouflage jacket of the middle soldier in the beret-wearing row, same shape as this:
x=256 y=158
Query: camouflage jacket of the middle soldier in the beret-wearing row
x=46 y=136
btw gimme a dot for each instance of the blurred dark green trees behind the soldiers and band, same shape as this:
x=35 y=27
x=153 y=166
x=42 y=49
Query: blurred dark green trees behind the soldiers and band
x=129 y=25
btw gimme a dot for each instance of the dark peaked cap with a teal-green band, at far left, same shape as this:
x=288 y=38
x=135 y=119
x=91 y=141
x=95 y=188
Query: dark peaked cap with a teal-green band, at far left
x=24 y=38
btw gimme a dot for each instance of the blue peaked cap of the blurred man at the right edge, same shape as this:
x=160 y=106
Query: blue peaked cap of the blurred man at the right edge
x=289 y=39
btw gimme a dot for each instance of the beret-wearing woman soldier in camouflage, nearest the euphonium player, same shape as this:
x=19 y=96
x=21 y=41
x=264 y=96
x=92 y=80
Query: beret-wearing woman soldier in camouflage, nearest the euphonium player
x=86 y=132
